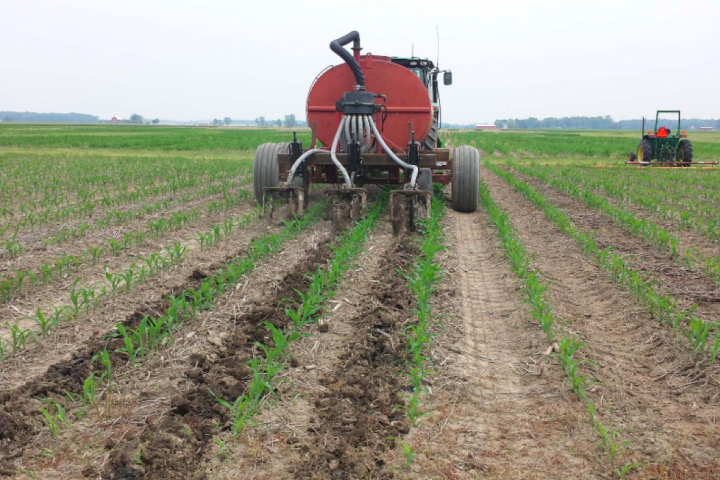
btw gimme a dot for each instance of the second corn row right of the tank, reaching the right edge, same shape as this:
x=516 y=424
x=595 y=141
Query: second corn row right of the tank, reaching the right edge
x=703 y=335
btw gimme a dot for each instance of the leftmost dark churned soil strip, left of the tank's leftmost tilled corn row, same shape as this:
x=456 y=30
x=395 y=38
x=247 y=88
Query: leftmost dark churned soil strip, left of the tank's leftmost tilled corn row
x=20 y=419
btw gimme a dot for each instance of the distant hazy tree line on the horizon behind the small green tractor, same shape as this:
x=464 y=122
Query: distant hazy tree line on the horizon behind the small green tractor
x=598 y=123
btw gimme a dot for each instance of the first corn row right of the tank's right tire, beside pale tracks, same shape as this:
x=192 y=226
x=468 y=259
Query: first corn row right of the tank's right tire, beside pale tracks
x=534 y=290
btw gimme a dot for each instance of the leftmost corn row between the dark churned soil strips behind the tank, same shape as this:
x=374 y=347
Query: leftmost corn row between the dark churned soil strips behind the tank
x=152 y=332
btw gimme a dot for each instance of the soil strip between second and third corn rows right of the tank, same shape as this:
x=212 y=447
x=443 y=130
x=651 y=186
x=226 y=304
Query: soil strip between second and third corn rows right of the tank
x=680 y=282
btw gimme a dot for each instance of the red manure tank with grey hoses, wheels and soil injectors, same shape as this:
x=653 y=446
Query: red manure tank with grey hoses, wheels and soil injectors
x=374 y=121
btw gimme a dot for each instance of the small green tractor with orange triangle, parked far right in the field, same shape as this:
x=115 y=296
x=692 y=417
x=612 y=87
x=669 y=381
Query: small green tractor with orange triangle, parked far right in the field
x=662 y=145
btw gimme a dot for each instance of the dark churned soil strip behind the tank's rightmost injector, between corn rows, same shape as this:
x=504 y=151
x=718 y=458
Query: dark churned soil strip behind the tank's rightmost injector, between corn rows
x=352 y=416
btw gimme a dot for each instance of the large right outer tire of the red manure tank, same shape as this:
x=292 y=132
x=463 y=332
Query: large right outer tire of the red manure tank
x=465 y=178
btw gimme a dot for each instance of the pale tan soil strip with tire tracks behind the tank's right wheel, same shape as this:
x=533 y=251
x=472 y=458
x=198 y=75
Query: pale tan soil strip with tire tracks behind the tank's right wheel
x=498 y=409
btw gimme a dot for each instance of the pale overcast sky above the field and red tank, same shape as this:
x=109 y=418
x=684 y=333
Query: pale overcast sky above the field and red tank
x=197 y=60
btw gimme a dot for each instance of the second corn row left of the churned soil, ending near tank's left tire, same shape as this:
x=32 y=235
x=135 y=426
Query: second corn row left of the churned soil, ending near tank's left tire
x=66 y=265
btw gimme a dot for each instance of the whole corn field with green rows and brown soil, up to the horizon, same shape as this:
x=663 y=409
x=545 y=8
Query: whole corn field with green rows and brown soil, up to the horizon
x=155 y=323
